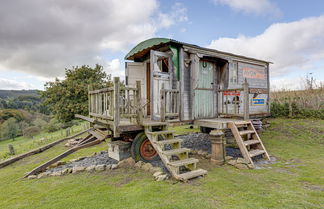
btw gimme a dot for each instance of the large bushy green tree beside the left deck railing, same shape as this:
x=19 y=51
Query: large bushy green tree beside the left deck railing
x=68 y=97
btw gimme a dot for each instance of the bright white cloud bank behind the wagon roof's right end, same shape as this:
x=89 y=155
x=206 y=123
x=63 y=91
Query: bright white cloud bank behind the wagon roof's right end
x=291 y=46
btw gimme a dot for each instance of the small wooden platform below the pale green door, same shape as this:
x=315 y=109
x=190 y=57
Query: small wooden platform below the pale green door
x=215 y=123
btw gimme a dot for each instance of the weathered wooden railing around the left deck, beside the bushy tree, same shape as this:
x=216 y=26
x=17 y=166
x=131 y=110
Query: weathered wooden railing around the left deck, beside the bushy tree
x=115 y=103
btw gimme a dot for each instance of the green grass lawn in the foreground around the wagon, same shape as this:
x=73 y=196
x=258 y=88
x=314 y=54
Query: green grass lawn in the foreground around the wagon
x=295 y=181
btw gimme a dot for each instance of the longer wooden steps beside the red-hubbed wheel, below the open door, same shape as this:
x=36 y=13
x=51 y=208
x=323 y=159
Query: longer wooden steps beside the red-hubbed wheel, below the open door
x=176 y=159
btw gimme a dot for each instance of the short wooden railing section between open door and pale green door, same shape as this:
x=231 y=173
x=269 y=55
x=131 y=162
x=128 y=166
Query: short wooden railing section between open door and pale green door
x=169 y=104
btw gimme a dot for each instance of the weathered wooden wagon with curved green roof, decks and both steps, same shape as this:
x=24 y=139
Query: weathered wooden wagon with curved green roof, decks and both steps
x=171 y=82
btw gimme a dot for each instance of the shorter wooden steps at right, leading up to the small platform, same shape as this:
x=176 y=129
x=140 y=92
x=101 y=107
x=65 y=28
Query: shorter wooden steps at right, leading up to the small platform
x=248 y=140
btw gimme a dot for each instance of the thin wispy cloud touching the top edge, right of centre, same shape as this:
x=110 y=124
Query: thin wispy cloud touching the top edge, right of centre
x=258 y=7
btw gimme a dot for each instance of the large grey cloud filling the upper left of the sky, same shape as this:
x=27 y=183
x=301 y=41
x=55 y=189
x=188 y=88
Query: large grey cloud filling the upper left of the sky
x=43 y=38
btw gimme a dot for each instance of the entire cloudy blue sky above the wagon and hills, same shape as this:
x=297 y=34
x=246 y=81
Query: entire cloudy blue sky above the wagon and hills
x=40 y=39
